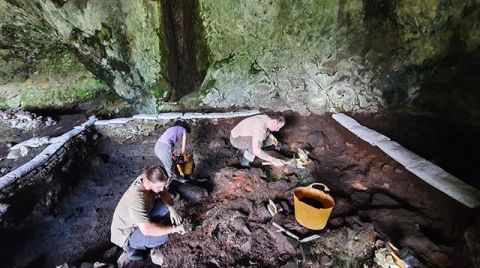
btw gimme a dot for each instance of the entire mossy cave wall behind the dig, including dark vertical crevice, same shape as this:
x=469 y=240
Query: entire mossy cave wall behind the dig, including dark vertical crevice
x=304 y=55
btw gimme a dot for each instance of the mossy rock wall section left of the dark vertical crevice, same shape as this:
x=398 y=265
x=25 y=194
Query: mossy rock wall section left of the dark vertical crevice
x=117 y=41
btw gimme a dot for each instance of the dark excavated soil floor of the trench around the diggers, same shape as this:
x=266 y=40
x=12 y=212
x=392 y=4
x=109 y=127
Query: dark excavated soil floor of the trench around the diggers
x=376 y=200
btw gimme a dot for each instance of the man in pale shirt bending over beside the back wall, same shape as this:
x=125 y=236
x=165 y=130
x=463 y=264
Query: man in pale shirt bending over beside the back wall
x=253 y=133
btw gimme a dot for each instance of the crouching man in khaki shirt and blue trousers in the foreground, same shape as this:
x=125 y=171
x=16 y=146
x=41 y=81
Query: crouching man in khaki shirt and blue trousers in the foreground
x=140 y=220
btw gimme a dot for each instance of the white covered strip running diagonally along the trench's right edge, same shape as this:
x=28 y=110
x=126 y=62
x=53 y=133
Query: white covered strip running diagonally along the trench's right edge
x=424 y=169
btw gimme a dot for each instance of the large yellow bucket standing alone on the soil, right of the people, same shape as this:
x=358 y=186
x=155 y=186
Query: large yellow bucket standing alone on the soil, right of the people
x=312 y=206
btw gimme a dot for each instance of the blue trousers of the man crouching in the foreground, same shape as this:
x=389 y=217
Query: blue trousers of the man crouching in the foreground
x=140 y=241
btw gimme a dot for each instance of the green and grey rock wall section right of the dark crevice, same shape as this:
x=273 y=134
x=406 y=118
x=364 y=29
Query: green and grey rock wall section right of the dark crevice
x=331 y=55
